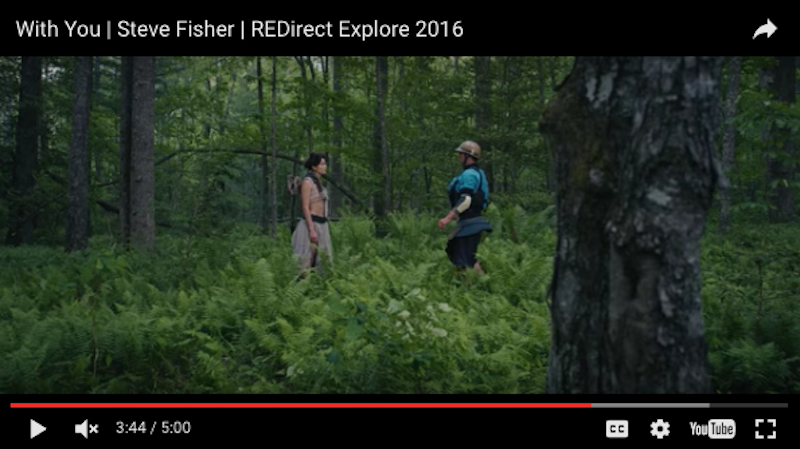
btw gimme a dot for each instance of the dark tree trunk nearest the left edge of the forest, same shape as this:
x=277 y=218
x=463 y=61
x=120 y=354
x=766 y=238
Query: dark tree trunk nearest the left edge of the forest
x=23 y=182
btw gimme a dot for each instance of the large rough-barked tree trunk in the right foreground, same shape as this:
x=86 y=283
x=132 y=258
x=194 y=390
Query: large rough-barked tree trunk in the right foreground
x=633 y=139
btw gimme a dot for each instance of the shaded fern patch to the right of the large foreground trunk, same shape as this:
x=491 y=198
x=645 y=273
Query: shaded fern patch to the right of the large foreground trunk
x=751 y=287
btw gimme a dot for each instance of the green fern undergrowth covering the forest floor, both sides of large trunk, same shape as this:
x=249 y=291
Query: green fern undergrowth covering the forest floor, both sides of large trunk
x=228 y=314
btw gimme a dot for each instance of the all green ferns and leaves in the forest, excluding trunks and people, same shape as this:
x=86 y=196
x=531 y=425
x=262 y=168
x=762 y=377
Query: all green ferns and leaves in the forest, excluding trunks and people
x=217 y=308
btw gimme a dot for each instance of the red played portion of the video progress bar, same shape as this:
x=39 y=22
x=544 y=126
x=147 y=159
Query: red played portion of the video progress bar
x=254 y=405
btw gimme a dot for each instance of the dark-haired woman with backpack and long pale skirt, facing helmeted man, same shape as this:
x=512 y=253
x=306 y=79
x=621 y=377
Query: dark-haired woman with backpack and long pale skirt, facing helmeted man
x=312 y=233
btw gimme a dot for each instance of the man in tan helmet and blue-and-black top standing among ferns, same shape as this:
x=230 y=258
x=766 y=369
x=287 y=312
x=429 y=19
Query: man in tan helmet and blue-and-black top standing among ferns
x=469 y=195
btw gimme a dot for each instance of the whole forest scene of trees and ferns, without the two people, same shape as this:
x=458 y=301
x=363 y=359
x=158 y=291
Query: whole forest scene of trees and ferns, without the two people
x=644 y=212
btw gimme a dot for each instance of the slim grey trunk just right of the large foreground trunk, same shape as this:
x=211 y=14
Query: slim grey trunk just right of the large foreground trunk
x=729 y=141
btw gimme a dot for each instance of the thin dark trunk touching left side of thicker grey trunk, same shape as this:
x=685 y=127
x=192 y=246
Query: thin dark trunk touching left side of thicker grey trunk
x=126 y=98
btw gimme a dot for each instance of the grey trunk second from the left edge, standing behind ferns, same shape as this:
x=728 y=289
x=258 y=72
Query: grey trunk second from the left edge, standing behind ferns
x=77 y=227
